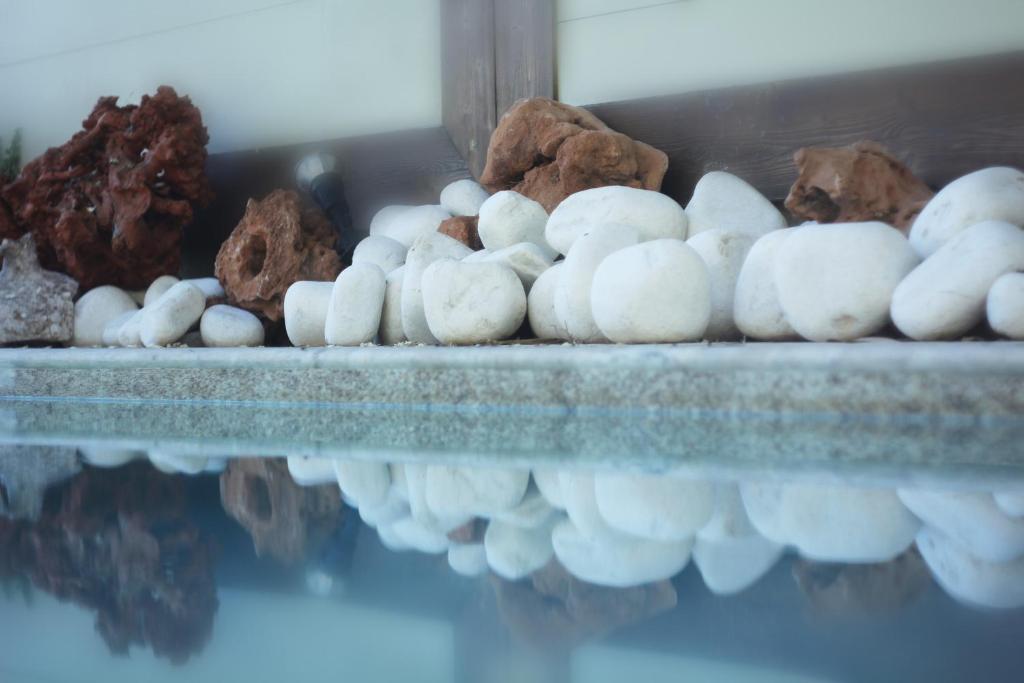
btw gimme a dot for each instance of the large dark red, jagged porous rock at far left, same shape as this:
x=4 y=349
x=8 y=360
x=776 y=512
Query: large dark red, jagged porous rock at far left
x=110 y=205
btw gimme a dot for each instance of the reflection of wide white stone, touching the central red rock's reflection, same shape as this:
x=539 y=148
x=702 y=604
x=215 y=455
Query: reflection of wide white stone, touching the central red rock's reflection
x=617 y=561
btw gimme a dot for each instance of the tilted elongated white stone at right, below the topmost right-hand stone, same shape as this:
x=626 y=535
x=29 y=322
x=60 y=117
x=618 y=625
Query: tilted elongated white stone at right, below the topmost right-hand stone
x=945 y=297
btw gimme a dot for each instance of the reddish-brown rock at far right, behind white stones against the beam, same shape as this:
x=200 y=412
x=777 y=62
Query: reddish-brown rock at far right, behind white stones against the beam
x=856 y=184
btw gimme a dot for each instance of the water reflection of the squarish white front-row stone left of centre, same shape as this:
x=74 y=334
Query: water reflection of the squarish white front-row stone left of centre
x=475 y=492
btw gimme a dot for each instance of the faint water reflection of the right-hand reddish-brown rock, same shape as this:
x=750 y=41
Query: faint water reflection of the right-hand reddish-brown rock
x=863 y=589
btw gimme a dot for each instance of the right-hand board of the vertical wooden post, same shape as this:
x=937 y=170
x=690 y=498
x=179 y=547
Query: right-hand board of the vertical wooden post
x=525 y=51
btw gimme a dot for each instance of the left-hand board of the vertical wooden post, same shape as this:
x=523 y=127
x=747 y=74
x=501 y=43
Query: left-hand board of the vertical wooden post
x=468 y=77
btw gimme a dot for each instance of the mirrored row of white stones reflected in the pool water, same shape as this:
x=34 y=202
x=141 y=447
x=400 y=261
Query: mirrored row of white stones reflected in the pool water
x=624 y=529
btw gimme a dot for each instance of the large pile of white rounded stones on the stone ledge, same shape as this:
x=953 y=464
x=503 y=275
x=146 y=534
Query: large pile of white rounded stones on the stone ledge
x=641 y=269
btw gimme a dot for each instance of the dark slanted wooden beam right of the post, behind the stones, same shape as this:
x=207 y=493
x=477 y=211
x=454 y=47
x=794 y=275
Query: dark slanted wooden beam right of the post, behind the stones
x=944 y=120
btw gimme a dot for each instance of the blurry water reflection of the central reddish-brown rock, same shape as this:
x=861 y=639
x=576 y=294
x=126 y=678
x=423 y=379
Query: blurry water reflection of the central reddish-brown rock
x=557 y=609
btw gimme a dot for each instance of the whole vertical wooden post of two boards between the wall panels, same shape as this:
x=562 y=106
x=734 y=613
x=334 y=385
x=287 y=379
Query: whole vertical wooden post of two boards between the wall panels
x=493 y=54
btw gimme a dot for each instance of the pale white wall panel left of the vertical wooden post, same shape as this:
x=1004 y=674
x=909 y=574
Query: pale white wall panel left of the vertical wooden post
x=264 y=72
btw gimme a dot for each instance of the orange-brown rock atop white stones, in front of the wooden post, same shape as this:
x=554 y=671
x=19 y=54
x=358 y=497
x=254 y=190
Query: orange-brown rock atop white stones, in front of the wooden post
x=547 y=151
